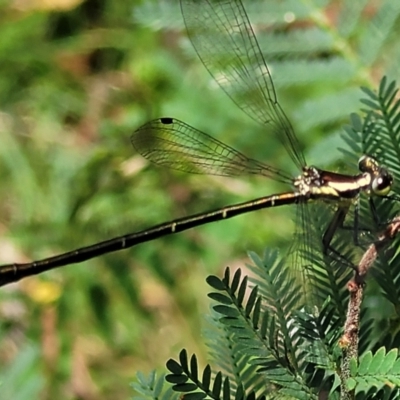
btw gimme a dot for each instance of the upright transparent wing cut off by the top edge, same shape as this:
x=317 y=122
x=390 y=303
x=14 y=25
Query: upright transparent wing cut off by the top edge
x=224 y=40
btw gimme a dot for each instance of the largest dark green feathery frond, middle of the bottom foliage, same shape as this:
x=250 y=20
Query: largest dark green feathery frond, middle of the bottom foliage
x=265 y=335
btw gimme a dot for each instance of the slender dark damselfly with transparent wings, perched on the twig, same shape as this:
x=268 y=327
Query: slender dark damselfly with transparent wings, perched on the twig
x=225 y=42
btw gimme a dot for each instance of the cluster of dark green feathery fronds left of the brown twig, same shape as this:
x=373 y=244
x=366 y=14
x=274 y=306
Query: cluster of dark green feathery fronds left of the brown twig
x=267 y=336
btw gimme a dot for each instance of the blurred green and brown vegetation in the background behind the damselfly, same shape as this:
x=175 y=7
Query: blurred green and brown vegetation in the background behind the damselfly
x=76 y=79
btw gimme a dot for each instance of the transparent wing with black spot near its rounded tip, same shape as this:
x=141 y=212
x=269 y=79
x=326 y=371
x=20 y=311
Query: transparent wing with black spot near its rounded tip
x=172 y=143
